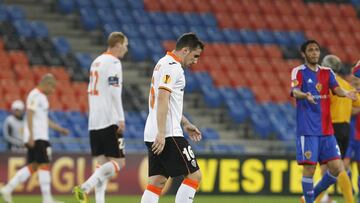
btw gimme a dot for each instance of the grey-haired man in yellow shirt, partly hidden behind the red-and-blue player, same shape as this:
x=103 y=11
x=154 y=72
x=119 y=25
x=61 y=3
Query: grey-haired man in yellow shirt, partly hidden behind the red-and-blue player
x=340 y=109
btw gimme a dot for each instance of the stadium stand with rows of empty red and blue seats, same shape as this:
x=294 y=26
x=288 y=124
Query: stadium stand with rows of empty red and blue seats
x=239 y=89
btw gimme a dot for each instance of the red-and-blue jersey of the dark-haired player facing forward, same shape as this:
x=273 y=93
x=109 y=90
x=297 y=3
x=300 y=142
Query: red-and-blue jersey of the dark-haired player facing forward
x=314 y=119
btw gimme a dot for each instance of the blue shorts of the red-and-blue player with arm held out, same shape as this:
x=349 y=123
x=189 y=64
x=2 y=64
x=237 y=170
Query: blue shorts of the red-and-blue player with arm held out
x=311 y=149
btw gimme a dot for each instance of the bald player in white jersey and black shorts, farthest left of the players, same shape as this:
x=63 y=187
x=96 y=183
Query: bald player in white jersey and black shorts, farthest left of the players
x=36 y=139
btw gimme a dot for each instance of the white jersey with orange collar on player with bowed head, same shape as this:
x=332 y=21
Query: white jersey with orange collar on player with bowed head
x=169 y=75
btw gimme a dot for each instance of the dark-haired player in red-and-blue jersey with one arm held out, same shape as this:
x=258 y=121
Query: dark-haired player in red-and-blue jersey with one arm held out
x=315 y=142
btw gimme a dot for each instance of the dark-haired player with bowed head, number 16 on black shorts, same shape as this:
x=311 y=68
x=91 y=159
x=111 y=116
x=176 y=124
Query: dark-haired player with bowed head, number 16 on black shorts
x=169 y=153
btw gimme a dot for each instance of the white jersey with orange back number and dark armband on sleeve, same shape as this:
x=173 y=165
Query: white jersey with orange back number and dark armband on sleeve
x=104 y=92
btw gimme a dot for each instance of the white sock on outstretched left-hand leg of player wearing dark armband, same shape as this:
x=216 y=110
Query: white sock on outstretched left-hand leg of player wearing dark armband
x=105 y=172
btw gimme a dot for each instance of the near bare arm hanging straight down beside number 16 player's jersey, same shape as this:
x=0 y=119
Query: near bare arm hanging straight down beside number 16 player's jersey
x=162 y=110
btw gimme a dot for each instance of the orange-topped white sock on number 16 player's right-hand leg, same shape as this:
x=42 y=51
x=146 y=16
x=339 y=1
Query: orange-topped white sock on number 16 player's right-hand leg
x=186 y=191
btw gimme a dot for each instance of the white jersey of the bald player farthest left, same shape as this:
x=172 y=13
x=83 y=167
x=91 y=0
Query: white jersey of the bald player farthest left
x=39 y=104
